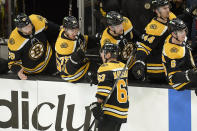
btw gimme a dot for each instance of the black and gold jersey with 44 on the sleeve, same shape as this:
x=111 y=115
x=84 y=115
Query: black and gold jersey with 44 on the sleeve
x=150 y=48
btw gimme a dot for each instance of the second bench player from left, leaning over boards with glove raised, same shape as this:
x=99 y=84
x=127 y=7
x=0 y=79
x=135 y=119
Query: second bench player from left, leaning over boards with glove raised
x=71 y=47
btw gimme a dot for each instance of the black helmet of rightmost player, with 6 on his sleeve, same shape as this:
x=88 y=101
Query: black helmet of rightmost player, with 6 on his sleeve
x=176 y=24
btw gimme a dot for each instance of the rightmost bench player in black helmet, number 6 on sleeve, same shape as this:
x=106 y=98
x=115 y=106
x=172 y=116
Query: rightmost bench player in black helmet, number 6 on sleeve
x=177 y=59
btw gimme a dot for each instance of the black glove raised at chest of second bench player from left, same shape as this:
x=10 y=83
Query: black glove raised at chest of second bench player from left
x=78 y=56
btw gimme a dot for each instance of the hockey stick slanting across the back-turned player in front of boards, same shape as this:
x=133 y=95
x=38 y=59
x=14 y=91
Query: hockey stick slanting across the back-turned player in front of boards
x=114 y=86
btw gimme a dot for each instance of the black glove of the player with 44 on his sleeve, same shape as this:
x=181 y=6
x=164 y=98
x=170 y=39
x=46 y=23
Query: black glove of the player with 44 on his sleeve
x=138 y=70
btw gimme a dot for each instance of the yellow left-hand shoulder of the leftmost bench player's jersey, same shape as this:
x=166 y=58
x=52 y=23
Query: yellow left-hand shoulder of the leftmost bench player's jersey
x=16 y=41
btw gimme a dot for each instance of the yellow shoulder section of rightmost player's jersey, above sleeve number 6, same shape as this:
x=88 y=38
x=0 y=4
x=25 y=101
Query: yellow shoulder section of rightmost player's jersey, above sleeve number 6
x=173 y=51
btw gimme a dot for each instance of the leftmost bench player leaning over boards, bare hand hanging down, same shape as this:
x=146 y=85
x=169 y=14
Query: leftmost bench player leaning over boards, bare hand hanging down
x=29 y=49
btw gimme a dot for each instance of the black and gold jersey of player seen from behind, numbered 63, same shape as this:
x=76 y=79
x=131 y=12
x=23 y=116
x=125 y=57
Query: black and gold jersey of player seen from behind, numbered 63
x=117 y=106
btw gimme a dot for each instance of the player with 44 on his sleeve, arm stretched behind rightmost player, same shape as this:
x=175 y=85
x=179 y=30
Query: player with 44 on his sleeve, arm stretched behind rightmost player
x=148 y=57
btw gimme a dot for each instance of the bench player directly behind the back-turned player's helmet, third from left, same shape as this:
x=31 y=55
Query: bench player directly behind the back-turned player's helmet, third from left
x=120 y=31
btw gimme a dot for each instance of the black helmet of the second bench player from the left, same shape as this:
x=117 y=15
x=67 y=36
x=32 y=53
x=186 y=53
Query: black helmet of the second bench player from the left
x=70 y=22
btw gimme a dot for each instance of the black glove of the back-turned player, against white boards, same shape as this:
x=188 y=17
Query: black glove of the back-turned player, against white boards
x=97 y=111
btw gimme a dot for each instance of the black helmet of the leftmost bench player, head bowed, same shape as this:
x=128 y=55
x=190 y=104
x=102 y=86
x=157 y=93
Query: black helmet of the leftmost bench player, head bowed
x=22 y=20
